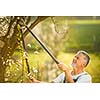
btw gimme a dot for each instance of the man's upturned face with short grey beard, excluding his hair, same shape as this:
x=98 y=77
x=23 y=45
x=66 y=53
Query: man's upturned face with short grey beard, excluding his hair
x=78 y=60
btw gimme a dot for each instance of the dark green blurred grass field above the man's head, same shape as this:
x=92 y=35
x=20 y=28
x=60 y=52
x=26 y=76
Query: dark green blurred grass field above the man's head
x=83 y=36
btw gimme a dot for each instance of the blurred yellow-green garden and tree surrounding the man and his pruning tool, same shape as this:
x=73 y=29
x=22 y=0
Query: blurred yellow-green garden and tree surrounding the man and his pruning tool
x=63 y=35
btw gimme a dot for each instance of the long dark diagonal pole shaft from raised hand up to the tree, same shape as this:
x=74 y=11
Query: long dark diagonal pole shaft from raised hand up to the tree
x=41 y=43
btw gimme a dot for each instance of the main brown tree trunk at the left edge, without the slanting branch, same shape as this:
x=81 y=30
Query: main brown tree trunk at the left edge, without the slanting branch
x=6 y=52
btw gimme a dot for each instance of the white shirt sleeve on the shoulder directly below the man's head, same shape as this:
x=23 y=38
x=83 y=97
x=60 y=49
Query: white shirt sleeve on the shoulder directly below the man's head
x=84 y=79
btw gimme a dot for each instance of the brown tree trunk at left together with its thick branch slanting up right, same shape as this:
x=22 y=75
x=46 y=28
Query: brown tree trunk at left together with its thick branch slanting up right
x=10 y=44
